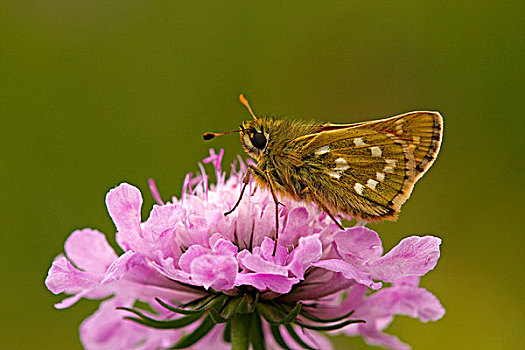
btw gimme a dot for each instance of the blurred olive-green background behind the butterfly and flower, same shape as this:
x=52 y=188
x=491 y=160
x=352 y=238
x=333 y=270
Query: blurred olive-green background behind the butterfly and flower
x=94 y=93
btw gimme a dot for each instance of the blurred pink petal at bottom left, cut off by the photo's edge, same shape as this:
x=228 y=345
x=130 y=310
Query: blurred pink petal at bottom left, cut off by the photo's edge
x=107 y=329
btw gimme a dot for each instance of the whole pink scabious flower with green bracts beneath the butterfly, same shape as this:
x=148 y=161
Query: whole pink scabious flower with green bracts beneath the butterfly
x=189 y=276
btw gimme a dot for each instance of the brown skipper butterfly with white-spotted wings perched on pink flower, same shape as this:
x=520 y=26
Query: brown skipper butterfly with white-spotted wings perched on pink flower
x=365 y=170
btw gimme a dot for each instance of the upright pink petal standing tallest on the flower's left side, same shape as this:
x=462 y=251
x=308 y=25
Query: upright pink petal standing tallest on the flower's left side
x=124 y=203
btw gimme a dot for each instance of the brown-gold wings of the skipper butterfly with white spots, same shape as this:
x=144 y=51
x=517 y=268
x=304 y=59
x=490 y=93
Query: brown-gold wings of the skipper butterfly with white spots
x=373 y=164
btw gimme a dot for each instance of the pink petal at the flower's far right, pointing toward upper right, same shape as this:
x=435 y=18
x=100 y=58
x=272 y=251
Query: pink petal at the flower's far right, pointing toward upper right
x=413 y=256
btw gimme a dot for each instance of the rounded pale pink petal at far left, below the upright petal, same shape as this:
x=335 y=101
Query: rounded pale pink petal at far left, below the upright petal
x=89 y=250
